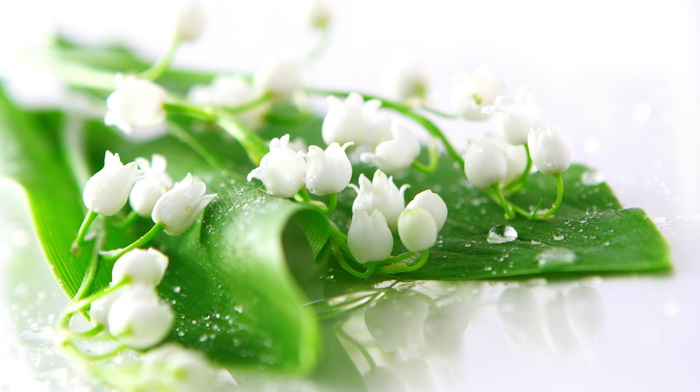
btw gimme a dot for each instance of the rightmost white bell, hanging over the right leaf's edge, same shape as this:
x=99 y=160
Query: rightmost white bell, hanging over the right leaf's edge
x=549 y=151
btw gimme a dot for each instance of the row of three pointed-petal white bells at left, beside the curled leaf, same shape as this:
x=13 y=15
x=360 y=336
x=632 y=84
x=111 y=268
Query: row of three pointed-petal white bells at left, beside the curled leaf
x=150 y=192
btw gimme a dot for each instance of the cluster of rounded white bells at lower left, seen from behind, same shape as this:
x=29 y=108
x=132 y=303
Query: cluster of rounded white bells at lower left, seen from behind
x=134 y=314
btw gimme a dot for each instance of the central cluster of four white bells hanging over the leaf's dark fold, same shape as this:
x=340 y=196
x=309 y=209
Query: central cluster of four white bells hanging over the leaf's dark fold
x=379 y=208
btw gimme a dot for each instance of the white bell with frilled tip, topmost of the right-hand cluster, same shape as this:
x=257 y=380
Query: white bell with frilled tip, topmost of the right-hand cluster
x=514 y=118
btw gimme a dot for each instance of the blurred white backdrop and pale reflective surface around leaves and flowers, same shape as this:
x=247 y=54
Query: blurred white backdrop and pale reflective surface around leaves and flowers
x=620 y=78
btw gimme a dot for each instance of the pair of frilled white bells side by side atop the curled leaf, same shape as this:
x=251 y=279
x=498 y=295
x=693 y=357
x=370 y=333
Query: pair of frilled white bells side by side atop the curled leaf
x=285 y=171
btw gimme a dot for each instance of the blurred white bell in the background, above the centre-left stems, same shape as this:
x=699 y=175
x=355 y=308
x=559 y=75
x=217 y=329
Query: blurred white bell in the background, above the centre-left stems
x=281 y=76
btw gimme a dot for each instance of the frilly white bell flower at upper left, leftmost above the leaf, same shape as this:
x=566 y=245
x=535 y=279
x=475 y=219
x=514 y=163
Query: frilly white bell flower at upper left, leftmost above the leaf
x=136 y=103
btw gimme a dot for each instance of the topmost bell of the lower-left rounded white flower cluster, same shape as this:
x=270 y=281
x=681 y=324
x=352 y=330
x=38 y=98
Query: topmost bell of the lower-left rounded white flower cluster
x=142 y=266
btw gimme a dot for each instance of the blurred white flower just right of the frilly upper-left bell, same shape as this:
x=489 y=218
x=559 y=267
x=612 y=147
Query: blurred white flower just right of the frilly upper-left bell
x=231 y=91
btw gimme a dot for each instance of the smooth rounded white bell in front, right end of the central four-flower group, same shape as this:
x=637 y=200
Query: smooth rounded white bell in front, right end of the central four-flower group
x=417 y=229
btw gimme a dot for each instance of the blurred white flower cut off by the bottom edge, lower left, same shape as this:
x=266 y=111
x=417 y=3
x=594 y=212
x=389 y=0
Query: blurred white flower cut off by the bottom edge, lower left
x=177 y=369
